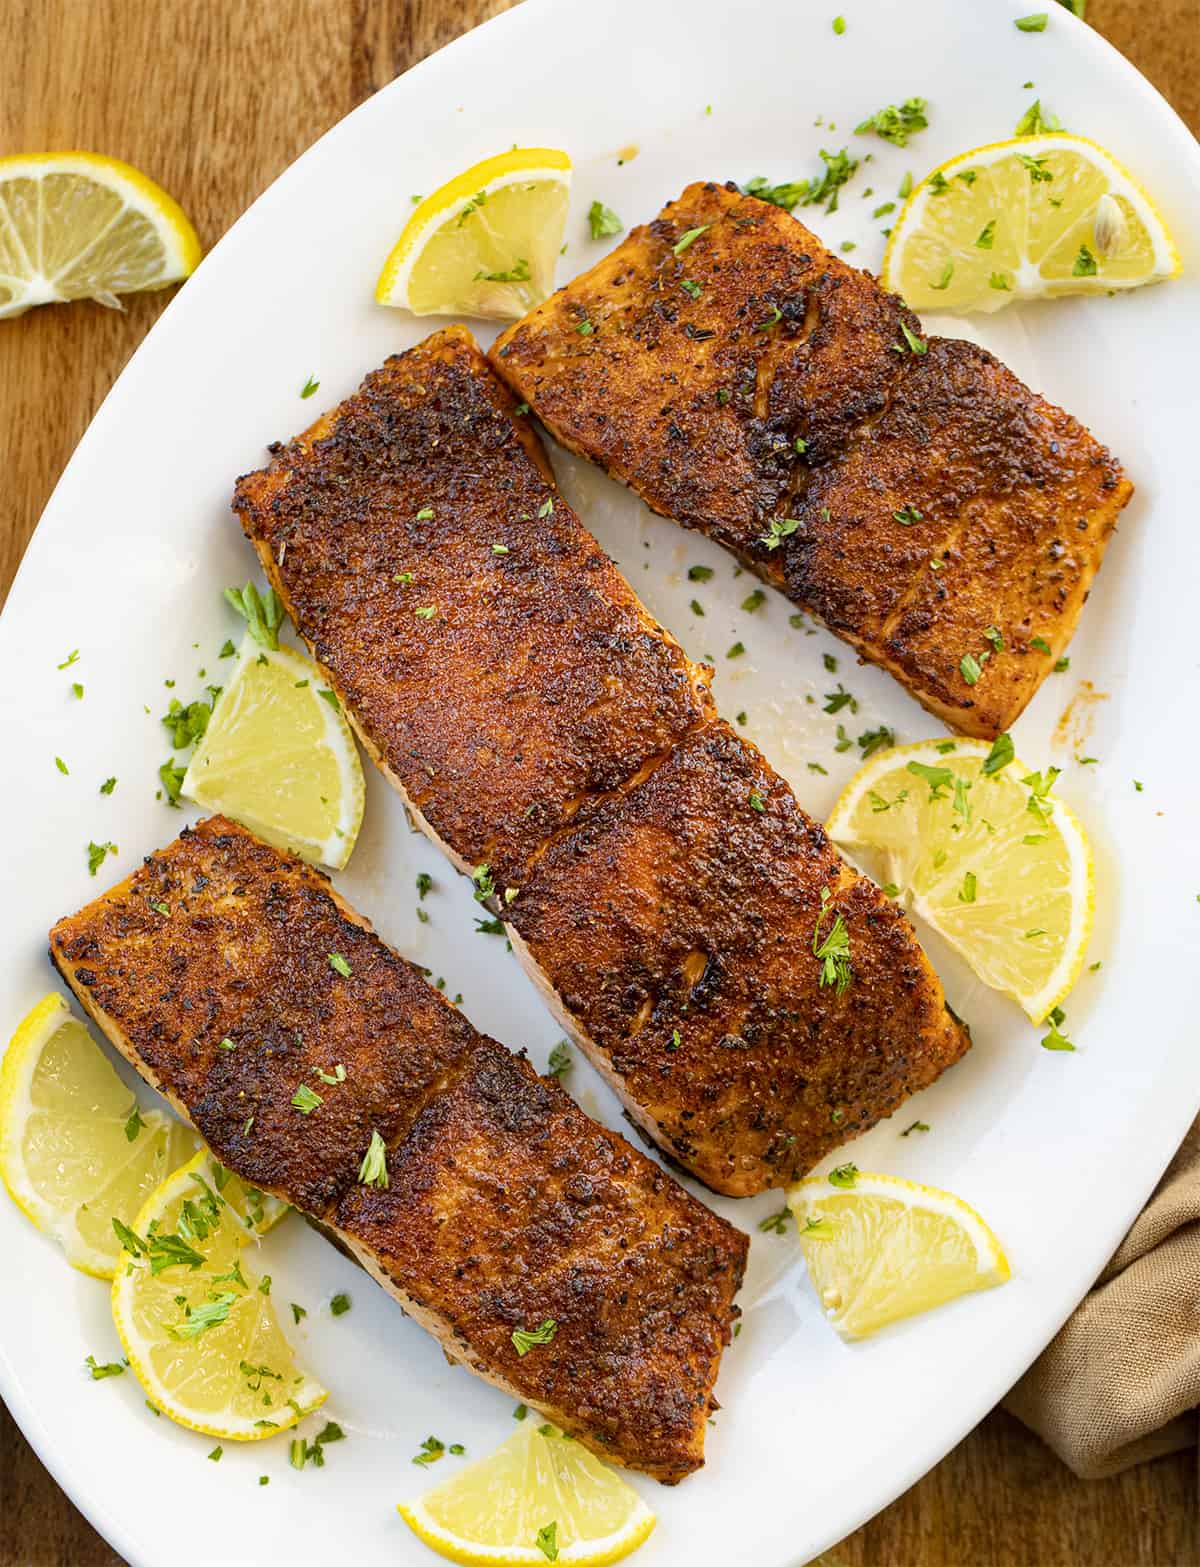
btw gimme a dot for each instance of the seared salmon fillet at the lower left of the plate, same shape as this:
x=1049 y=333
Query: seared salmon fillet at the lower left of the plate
x=505 y=1206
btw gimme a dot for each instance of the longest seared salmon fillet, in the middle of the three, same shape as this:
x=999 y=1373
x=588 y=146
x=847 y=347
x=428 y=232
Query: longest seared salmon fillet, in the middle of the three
x=660 y=883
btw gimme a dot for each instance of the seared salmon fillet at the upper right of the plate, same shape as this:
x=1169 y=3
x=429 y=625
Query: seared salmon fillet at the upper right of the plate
x=928 y=507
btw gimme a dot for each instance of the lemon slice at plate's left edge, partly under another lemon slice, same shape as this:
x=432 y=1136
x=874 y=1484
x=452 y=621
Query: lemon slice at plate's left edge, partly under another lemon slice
x=74 y=1148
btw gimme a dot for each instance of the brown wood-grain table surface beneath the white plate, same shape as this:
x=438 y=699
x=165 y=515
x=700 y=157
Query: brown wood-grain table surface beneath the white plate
x=215 y=98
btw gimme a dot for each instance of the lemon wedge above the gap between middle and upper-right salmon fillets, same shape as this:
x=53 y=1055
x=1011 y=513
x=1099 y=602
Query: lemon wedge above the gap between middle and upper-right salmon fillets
x=485 y=244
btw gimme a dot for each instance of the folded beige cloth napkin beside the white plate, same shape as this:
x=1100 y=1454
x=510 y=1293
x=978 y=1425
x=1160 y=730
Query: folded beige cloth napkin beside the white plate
x=1121 y=1383
